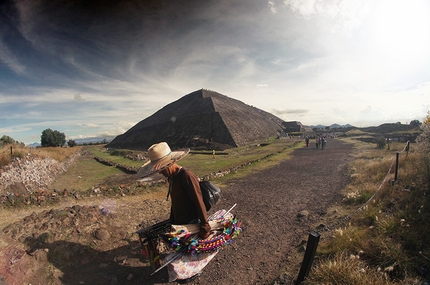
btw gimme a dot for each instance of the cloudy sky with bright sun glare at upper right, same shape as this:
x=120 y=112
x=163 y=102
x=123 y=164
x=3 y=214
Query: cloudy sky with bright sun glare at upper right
x=96 y=68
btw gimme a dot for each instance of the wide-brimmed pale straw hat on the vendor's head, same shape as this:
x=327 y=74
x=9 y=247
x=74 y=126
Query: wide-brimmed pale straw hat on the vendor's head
x=160 y=156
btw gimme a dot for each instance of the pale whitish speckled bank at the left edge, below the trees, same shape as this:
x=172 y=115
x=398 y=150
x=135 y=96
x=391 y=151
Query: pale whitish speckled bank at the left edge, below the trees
x=33 y=172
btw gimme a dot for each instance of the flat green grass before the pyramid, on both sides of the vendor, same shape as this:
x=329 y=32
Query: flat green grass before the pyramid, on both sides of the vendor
x=87 y=172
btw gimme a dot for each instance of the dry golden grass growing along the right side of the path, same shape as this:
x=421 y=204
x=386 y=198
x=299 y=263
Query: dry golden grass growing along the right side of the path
x=386 y=242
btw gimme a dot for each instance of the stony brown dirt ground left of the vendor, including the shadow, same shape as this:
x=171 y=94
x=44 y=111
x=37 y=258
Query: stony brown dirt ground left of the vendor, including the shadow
x=89 y=244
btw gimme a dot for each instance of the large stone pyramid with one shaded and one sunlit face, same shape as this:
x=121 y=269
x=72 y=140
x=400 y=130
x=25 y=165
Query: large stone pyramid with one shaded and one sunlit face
x=203 y=119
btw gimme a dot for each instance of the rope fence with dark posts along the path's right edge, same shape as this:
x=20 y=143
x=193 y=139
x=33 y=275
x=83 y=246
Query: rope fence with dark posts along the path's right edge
x=314 y=236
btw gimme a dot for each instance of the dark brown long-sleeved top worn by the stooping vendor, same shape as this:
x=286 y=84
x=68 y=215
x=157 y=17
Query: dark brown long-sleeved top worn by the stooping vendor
x=187 y=200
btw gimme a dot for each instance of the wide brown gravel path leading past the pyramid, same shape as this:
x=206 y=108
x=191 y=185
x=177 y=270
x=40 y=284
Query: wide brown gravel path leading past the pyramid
x=269 y=204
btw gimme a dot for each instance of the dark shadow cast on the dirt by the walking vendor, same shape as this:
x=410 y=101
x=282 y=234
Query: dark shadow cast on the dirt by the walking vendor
x=81 y=264
